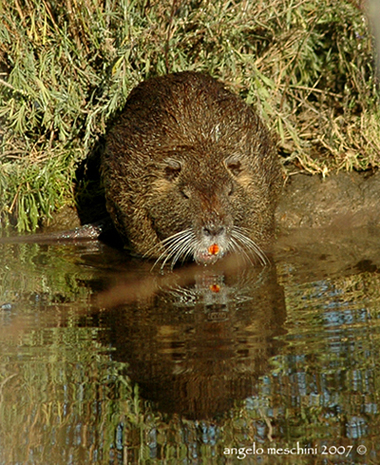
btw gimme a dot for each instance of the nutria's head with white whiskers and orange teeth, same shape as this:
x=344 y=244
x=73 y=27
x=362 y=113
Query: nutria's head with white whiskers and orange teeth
x=201 y=208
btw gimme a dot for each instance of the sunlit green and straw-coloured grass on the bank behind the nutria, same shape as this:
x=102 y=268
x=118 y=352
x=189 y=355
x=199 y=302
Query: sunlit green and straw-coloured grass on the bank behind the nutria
x=66 y=68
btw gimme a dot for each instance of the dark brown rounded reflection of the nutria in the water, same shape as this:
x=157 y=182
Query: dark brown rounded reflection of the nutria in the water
x=198 y=349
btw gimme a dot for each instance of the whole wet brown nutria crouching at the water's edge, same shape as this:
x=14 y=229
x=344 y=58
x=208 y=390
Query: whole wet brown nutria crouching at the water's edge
x=190 y=171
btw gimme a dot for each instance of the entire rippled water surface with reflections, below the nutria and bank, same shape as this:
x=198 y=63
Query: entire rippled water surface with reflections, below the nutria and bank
x=102 y=361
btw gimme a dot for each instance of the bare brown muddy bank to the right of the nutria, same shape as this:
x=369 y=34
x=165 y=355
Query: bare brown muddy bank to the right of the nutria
x=342 y=201
